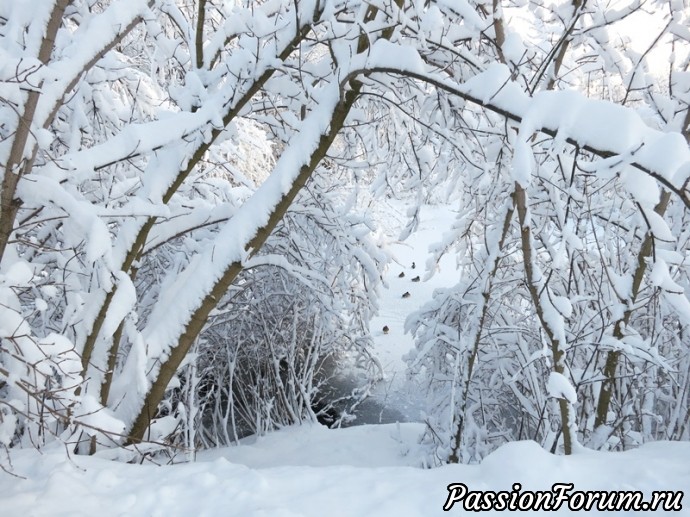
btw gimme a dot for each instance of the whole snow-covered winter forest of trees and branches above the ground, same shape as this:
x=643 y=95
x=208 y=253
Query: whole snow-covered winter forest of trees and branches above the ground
x=194 y=236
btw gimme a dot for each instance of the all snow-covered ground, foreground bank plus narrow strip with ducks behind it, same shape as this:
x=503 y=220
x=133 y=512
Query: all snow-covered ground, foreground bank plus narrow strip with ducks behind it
x=372 y=470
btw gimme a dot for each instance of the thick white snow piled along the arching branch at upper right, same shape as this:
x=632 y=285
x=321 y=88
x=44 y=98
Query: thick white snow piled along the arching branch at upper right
x=600 y=124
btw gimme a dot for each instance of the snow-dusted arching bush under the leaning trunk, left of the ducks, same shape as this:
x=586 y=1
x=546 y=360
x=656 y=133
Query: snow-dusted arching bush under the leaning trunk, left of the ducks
x=297 y=316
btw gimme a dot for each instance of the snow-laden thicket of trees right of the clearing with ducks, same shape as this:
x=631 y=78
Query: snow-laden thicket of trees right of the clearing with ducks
x=566 y=325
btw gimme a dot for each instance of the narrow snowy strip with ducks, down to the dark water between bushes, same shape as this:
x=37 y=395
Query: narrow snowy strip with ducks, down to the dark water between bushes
x=408 y=283
